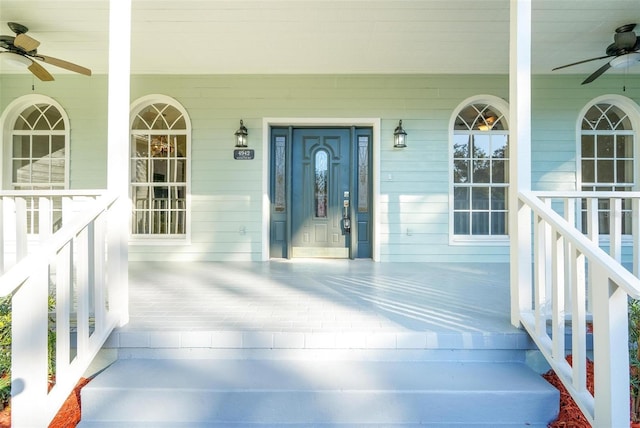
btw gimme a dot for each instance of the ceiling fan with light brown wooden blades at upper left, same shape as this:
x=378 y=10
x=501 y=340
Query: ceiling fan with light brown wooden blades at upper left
x=23 y=49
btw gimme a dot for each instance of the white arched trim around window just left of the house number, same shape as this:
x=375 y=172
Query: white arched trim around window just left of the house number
x=136 y=107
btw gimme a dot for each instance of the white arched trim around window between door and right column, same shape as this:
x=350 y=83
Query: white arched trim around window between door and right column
x=484 y=240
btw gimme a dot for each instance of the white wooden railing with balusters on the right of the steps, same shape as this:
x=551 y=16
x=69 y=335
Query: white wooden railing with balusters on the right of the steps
x=577 y=285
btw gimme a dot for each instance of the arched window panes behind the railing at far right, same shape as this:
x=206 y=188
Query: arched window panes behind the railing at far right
x=607 y=152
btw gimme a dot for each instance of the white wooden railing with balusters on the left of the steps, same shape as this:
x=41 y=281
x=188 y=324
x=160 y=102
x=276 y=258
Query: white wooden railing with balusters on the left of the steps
x=70 y=266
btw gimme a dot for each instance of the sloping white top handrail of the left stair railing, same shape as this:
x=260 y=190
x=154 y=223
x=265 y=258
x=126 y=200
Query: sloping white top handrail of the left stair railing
x=15 y=277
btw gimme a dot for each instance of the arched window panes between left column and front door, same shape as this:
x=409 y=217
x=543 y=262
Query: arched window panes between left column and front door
x=160 y=135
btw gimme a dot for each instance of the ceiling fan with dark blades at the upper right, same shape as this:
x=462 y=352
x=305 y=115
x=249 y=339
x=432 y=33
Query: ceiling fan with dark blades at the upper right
x=623 y=51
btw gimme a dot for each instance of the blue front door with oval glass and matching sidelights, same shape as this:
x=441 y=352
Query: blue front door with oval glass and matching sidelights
x=320 y=191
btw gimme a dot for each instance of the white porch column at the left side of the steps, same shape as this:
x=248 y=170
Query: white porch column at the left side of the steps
x=118 y=153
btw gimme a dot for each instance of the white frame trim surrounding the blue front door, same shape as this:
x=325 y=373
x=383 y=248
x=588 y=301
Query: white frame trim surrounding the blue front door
x=373 y=123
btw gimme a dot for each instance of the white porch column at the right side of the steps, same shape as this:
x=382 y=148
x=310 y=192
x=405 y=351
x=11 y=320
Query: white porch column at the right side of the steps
x=520 y=154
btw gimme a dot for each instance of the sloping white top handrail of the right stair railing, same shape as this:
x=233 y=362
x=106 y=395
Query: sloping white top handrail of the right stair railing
x=623 y=278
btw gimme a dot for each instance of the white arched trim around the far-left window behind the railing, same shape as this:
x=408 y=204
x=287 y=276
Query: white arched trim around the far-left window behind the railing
x=7 y=121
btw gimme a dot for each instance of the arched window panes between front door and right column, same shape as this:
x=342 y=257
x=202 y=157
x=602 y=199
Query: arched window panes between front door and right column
x=480 y=172
